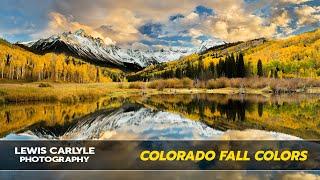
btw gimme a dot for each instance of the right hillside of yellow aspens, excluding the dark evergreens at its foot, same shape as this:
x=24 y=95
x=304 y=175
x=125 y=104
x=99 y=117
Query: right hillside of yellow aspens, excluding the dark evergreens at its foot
x=297 y=56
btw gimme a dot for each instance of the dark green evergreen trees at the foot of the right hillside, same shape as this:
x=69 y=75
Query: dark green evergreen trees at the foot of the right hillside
x=232 y=66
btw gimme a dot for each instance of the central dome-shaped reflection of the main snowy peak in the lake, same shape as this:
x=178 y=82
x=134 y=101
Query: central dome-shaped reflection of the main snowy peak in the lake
x=135 y=122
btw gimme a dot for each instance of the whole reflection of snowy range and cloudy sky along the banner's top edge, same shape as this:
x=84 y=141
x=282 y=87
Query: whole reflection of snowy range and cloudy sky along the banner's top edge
x=133 y=121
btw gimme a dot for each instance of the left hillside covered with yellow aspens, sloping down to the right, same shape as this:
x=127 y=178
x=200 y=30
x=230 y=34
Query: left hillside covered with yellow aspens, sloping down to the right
x=17 y=63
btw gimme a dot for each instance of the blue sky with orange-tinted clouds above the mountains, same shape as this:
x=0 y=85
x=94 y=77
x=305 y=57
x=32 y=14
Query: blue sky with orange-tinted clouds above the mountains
x=153 y=23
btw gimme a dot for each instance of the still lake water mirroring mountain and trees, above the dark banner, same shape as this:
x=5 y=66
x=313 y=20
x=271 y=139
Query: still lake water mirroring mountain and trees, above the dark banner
x=196 y=116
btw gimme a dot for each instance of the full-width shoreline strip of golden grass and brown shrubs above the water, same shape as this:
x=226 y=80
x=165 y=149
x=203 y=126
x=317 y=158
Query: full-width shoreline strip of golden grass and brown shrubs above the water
x=73 y=92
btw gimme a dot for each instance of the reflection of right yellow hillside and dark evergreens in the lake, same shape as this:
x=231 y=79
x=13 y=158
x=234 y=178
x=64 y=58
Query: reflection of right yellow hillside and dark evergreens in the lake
x=295 y=115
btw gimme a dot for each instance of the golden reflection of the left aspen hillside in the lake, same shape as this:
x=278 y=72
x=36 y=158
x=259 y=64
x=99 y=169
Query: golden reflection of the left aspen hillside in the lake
x=18 y=117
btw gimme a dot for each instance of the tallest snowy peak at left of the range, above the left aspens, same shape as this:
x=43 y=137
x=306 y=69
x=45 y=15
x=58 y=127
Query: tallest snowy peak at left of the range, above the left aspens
x=86 y=47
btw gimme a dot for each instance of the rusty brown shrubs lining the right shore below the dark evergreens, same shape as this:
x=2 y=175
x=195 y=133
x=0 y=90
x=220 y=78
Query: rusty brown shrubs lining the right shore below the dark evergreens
x=276 y=85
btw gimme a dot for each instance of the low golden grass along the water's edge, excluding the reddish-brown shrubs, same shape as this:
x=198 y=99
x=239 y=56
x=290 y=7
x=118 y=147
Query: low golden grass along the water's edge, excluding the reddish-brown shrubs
x=72 y=92
